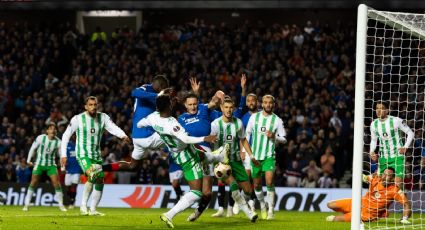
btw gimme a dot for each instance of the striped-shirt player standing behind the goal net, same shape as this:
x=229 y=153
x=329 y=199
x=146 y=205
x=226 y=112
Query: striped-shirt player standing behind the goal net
x=392 y=151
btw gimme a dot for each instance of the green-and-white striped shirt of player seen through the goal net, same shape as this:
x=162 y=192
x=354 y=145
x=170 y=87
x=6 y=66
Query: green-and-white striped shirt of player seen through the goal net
x=389 y=134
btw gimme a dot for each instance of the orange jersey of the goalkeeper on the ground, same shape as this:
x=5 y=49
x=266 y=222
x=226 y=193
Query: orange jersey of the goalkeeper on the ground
x=376 y=201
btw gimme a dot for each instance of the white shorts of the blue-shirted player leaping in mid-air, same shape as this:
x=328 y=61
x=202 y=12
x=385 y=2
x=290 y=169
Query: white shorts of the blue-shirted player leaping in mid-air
x=144 y=145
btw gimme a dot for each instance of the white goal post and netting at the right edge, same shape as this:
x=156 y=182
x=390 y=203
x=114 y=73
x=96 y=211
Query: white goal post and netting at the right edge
x=391 y=69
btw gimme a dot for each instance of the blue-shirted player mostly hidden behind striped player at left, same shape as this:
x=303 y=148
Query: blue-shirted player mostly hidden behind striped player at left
x=73 y=173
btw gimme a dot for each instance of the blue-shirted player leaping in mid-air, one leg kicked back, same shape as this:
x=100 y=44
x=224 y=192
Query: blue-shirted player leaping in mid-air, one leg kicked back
x=144 y=139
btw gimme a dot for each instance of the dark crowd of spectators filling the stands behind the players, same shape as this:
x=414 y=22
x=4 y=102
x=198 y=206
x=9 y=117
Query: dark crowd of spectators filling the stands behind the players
x=46 y=72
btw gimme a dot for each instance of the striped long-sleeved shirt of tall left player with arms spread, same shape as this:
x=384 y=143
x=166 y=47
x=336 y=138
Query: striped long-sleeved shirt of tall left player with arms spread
x=89 y=131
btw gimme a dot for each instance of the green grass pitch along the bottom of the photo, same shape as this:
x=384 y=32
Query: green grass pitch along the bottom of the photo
x=12 y=217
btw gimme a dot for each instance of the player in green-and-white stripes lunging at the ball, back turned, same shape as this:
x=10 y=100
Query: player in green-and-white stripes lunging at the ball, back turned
x=182 y=150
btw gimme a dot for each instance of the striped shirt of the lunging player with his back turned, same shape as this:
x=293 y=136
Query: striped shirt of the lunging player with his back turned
x=174 y=136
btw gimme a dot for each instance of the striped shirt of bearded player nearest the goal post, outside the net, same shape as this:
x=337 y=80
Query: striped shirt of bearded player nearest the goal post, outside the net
x=262 y=146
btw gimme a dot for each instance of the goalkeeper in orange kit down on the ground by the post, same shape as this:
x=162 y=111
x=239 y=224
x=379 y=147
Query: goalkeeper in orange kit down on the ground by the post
x=382 y=192
